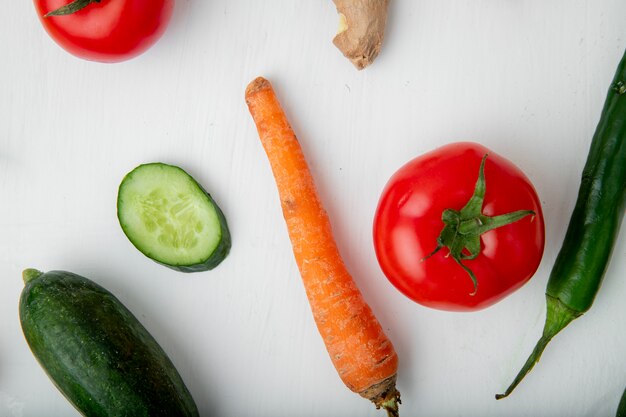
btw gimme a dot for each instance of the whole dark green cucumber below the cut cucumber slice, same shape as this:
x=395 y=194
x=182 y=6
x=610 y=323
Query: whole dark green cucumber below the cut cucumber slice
x=96 y=352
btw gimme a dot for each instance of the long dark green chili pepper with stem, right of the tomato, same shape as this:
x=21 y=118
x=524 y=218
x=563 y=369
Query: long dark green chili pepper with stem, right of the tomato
x=593 y=228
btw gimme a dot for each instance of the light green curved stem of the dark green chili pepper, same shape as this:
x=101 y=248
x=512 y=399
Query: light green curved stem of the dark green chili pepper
x=558 y=316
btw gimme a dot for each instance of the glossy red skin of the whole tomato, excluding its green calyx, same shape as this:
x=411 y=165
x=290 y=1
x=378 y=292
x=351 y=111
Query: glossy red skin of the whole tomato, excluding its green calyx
x=408 y=222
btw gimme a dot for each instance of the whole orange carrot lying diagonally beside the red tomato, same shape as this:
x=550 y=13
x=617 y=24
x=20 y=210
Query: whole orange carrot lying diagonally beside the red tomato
x=363 y=356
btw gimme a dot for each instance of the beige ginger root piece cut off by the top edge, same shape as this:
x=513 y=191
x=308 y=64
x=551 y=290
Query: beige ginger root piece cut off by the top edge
x=361 y=29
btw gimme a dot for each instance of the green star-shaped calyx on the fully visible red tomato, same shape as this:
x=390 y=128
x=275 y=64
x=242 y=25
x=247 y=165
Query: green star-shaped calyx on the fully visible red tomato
x=462 y=230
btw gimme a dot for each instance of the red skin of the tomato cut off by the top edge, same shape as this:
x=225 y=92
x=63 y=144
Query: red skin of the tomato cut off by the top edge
x=109 y=31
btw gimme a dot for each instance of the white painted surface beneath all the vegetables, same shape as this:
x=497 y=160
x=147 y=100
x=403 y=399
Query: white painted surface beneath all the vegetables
x=526 y=78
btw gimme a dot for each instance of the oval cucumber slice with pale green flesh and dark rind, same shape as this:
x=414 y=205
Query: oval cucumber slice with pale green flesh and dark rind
x=171 y=219
